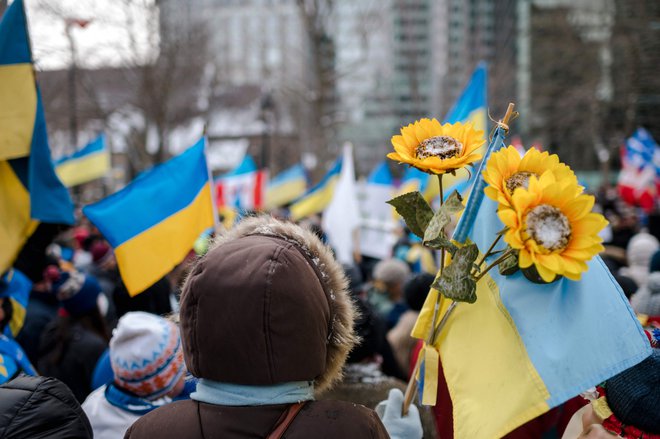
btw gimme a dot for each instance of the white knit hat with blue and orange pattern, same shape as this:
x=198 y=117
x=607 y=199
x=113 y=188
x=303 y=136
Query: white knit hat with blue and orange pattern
x=146 y=355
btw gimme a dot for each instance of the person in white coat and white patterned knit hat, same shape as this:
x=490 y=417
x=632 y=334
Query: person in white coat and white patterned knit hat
x=147 y=363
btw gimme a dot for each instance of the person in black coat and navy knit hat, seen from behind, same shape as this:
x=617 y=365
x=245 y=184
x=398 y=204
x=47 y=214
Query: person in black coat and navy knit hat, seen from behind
x=72 y=344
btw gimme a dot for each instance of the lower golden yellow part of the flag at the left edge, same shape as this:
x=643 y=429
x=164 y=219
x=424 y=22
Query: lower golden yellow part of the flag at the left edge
x=16 y=225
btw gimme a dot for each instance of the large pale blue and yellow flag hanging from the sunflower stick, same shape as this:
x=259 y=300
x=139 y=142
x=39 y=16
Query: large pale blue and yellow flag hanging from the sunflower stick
x=522 y=348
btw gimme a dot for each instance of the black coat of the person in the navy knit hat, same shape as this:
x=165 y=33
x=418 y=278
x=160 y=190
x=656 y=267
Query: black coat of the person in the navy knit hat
x=76 y=366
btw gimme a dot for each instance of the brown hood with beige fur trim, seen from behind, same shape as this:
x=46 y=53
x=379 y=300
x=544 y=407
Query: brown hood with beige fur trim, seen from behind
x=267 y=304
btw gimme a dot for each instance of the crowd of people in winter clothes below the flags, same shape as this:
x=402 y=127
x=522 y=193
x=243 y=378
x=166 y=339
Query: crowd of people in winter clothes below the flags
x=259 y=332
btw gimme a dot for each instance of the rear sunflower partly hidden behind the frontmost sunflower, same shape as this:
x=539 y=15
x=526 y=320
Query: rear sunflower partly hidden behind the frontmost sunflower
x=506 y=171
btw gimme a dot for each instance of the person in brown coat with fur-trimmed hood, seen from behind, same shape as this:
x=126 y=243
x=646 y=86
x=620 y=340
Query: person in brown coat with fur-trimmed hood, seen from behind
x=266 y=323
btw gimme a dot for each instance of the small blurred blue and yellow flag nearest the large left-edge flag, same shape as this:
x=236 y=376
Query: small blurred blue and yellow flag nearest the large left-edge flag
x=87 y=164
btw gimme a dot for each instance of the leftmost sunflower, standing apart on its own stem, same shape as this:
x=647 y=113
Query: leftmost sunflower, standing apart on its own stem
x=437 y=149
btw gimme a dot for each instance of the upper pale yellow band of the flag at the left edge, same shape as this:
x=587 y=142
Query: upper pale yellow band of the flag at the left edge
x=18 y=95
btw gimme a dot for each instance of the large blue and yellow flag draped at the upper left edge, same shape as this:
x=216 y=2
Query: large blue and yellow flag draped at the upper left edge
x=29 y=188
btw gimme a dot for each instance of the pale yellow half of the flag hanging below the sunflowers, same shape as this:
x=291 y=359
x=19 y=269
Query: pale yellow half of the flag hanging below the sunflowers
x=504 y=389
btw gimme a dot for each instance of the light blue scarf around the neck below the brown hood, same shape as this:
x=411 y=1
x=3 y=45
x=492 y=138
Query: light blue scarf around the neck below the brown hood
x=214 y=392
